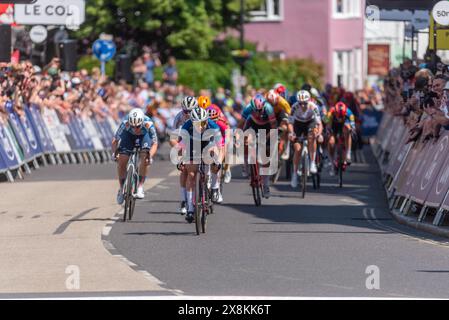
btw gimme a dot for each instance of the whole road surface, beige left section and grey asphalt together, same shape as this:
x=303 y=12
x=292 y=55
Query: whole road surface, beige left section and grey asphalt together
x=62 y=221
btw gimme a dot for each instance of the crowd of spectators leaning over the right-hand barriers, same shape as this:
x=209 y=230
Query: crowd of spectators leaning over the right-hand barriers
x=421 y=96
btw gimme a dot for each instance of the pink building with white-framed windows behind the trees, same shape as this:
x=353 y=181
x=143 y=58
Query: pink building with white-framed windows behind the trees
x=329 y=31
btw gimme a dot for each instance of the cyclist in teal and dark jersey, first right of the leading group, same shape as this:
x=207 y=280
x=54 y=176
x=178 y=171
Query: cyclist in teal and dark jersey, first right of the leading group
x=259 y=114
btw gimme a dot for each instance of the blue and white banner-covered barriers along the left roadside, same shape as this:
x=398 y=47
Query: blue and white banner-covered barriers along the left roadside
x=41 y=137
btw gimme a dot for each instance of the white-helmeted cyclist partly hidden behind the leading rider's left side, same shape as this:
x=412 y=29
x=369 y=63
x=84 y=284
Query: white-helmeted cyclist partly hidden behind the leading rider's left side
x=187 y=105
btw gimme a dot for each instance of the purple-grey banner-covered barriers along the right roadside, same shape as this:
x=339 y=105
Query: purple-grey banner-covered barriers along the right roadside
x=416 y=175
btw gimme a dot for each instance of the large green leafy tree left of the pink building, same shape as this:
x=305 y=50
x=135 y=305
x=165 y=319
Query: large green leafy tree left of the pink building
x=186 y=28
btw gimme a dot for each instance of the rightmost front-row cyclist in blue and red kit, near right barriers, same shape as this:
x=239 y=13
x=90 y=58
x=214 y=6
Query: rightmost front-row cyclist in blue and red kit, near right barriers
x=340 y=120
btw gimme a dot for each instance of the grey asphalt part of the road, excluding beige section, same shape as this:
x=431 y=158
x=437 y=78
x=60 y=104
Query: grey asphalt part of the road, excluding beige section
x=320 y=246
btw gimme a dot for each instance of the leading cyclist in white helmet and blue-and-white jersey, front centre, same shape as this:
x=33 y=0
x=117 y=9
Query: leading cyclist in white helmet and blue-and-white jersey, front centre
x=197 y=125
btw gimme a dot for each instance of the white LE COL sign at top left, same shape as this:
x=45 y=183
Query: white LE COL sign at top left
x=51 y=12
